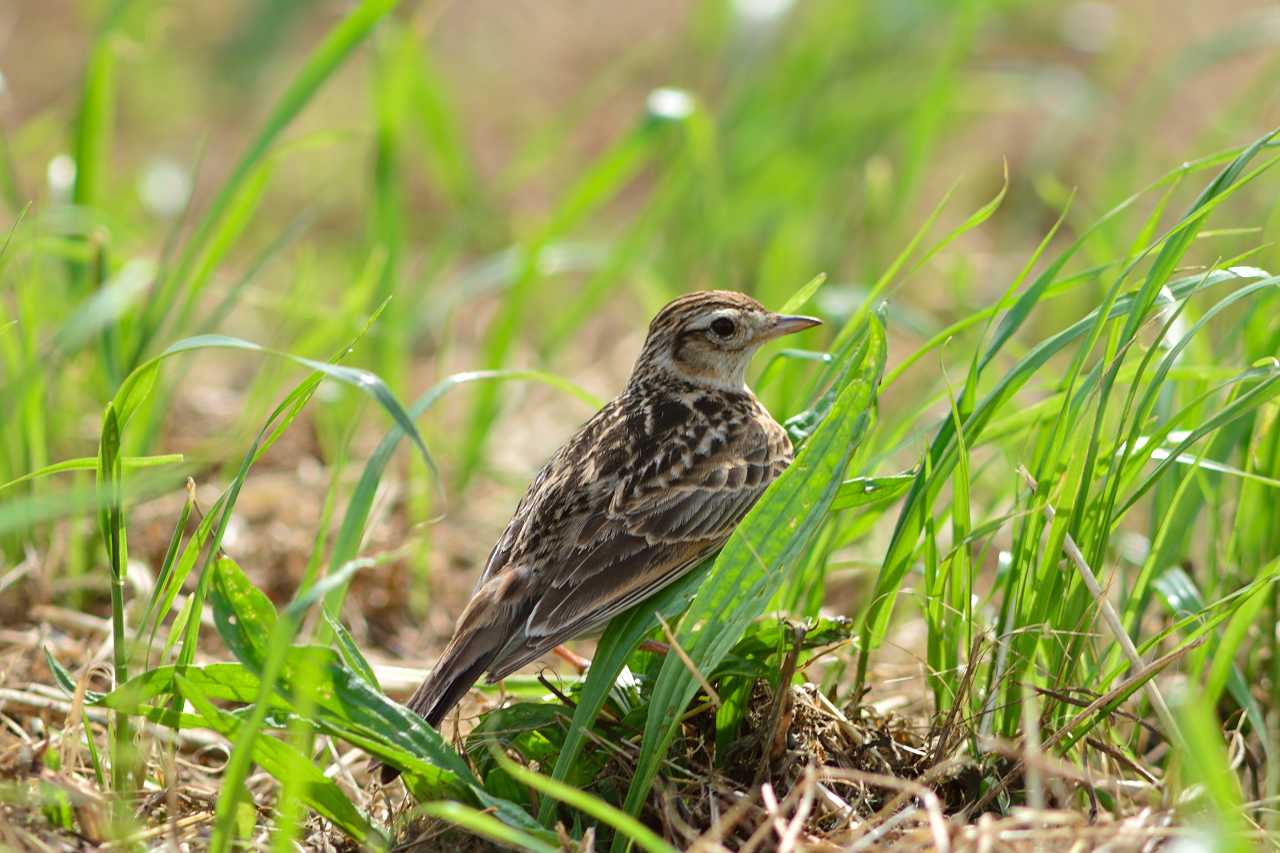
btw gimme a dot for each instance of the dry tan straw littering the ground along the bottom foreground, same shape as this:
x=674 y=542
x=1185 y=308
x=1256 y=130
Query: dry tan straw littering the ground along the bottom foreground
x=807 y=776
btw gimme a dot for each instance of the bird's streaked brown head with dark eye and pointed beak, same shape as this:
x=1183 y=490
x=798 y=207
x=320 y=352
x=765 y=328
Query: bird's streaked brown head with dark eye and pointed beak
x=708 y=339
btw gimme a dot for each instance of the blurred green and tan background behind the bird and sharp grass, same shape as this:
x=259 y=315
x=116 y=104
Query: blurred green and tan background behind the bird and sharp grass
x=527 y=184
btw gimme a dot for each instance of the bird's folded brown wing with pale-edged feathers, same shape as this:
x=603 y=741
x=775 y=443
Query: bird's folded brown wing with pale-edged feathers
x=651 y=532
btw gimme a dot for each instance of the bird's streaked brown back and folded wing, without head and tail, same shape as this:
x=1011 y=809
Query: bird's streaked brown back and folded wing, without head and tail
x=656 y=481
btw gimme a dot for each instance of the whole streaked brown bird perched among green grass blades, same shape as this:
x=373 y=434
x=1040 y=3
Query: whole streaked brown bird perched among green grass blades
x=647 y=489
